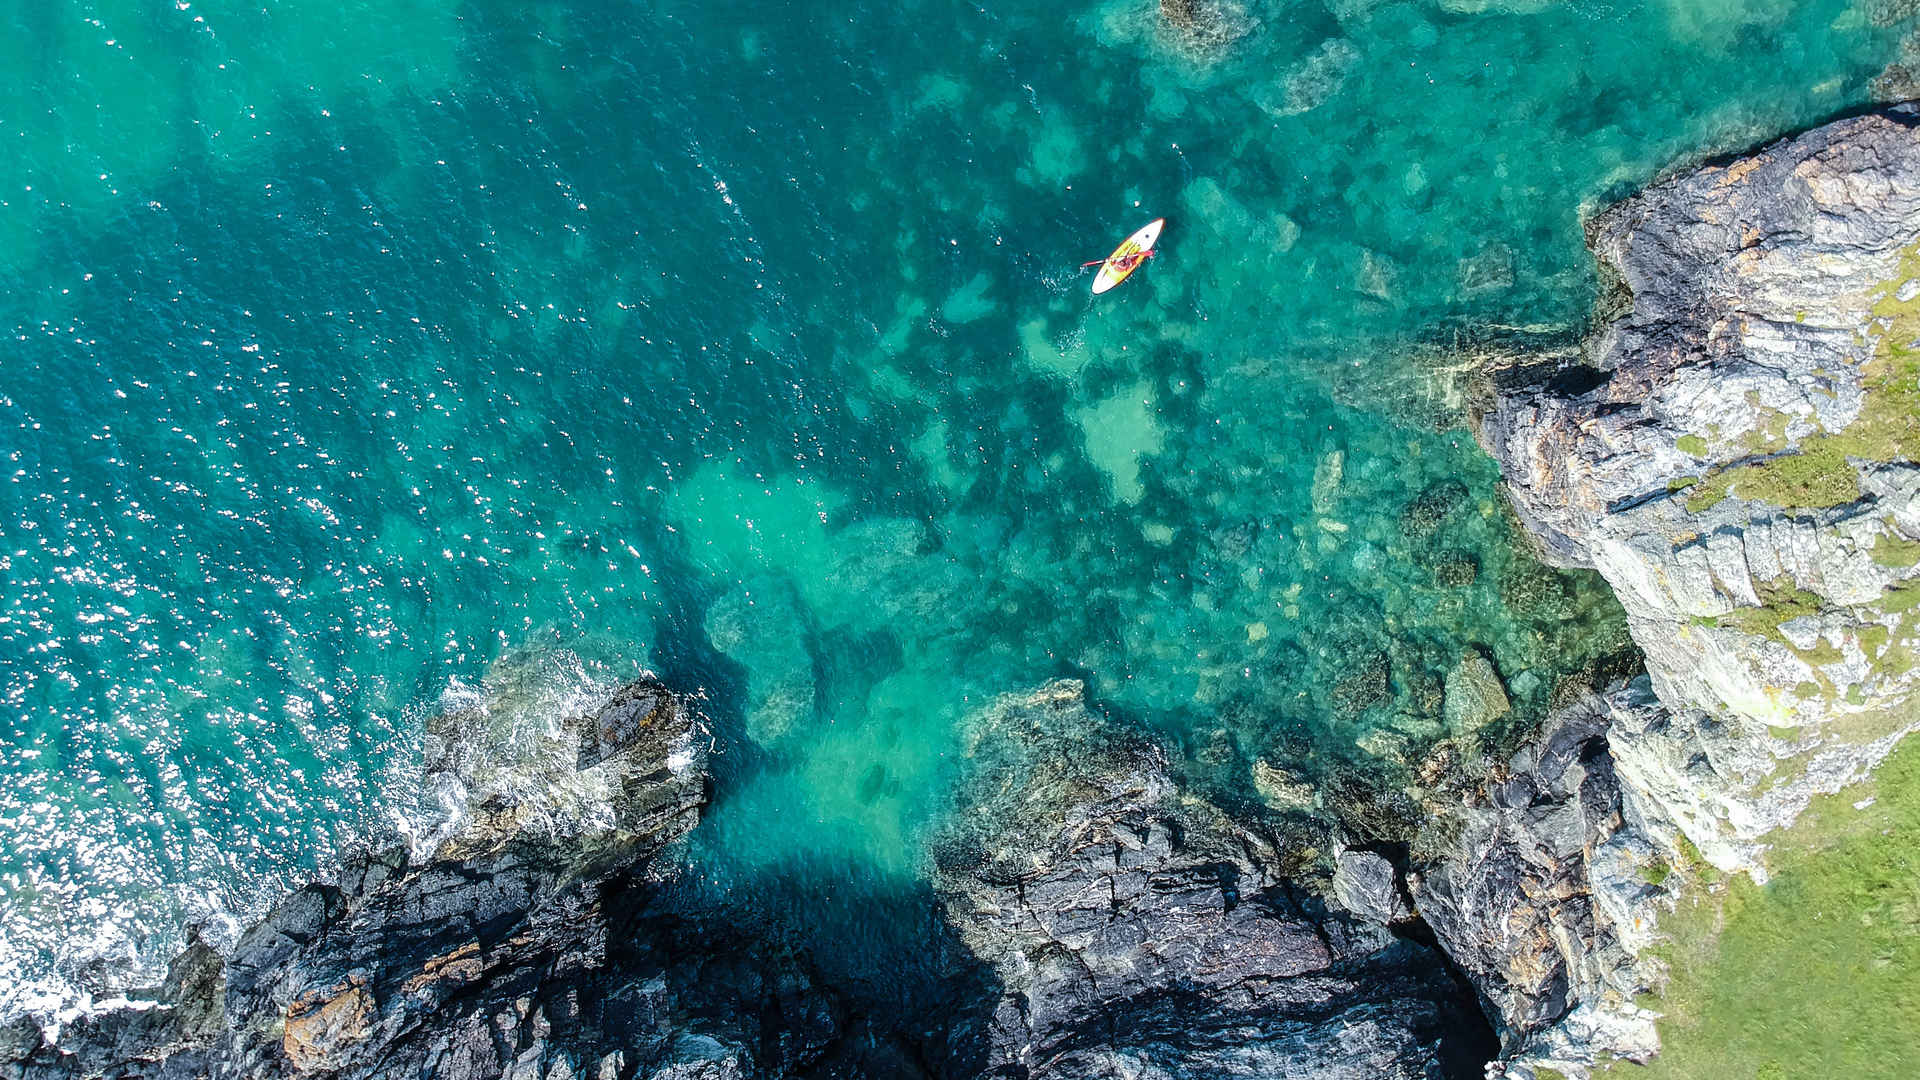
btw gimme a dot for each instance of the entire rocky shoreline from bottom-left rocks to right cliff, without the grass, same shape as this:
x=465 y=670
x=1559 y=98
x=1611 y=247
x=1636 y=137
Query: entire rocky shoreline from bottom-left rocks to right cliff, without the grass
x=1735 y=447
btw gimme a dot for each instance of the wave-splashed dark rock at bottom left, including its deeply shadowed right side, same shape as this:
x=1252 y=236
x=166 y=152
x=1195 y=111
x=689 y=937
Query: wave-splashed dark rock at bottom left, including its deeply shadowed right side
x=542 y=939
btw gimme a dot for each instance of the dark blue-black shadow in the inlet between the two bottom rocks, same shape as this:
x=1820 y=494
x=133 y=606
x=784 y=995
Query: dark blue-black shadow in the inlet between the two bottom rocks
x=817 y=971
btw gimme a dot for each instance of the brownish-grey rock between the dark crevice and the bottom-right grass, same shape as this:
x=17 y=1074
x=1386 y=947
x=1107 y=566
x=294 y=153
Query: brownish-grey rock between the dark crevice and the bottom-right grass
x=1537 y=885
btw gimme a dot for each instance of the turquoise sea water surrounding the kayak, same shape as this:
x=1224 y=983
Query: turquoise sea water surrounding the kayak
x=362 y=351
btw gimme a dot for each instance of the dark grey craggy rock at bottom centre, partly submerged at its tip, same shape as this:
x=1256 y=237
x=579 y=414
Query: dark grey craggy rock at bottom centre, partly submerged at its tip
x=1140 y=933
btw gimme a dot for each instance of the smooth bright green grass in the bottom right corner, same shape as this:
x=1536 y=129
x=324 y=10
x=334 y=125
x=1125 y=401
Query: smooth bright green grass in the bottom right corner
x=1819 y=973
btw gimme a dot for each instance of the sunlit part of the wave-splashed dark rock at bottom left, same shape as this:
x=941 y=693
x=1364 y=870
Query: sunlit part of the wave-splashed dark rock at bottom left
x=487 y=960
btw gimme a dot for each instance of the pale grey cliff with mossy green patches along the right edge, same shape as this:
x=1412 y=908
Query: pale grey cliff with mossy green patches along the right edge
x=1737 y=454
